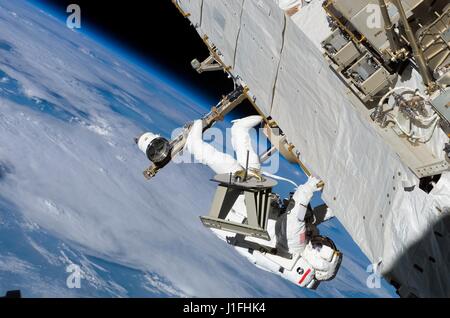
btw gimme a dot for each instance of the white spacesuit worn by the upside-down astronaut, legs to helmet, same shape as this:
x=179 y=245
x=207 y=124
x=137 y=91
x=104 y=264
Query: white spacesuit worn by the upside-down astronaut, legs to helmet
x=310 y=263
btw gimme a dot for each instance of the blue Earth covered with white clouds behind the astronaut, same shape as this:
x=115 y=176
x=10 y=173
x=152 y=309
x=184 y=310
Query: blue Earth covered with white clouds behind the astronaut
x=71 y=184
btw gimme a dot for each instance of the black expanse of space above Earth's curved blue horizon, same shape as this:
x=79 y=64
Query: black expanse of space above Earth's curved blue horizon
x=155 y=31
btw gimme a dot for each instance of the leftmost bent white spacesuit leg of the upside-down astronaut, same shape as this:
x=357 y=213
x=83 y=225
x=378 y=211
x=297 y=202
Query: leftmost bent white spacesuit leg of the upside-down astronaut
x=208 y=155
